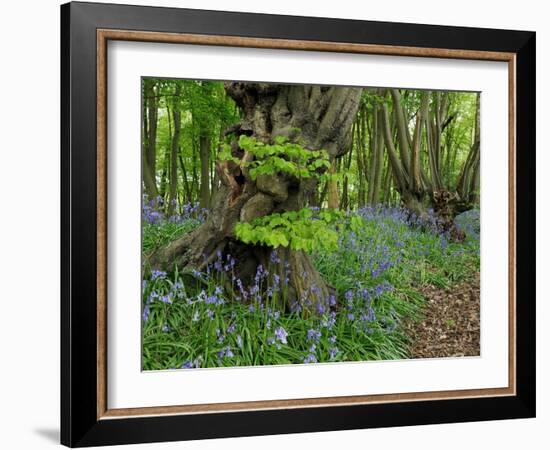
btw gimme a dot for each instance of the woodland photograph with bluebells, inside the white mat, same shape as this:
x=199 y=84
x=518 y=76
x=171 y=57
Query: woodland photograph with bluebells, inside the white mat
x=301 y=224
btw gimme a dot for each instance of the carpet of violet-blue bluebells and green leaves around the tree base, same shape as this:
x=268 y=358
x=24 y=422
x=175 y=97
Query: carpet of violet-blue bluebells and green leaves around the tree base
x=376 y=271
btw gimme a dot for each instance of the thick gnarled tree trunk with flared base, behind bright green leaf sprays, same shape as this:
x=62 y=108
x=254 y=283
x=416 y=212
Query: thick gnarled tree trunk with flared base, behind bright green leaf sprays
x=321 y=117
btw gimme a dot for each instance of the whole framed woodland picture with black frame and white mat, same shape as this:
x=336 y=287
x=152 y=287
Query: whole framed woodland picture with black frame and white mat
x=277 y=224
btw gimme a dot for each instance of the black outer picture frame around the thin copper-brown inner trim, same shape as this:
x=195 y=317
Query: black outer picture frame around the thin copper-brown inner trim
x=80 y=425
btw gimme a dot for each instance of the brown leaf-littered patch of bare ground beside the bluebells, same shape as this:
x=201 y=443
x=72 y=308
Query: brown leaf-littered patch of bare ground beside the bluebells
x=450 y=326
